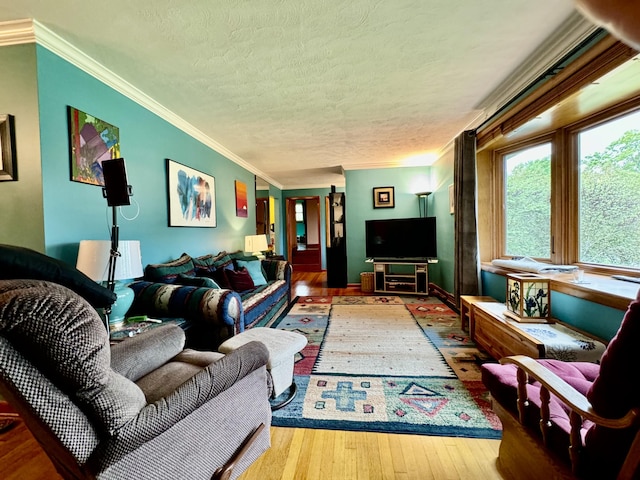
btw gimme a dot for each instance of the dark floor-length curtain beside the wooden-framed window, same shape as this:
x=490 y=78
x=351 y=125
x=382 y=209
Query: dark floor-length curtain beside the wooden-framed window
x=467 y=265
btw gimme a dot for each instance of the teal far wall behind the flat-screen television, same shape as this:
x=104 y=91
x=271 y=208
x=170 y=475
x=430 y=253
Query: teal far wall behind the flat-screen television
x=359 y=201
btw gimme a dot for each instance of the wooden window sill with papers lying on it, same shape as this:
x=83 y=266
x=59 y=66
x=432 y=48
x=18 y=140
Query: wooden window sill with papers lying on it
x=596 y=288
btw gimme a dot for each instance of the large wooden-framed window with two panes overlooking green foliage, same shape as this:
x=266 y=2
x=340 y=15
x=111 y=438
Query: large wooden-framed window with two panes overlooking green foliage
x=580 y=205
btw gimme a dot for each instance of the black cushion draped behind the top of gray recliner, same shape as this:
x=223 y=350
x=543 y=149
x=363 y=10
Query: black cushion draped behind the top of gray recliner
x=21 y=262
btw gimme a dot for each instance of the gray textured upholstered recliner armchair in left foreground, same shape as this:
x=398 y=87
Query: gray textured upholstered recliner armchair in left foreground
x=144 y=408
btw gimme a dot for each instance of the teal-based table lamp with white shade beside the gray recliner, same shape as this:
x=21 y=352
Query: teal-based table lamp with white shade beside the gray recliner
x=93 y=261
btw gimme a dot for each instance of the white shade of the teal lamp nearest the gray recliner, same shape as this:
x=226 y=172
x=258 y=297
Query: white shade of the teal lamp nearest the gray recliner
x=93 y=259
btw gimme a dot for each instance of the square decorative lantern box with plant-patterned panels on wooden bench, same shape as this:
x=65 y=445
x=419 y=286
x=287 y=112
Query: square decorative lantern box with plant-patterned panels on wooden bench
x=528 y=298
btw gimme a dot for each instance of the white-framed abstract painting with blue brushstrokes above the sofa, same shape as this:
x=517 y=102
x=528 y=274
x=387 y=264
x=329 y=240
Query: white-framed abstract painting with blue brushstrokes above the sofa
x=191 y=196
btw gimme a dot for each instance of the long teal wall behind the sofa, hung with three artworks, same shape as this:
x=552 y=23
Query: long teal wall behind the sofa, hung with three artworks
x=74 y=211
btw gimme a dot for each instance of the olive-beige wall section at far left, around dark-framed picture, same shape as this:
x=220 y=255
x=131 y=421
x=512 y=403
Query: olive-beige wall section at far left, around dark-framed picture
x=22 y=214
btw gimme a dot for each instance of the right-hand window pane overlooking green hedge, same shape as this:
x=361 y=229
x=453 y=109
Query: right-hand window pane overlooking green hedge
x=609 y=192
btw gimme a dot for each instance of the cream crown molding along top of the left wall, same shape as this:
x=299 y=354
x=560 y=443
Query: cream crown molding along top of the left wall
x=31 y=31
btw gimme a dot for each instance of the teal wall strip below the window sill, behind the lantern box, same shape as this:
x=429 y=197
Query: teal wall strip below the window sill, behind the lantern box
x=596 y=319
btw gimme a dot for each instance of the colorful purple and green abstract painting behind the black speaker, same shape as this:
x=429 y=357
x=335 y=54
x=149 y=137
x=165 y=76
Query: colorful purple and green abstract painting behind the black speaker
x=91 y=141
